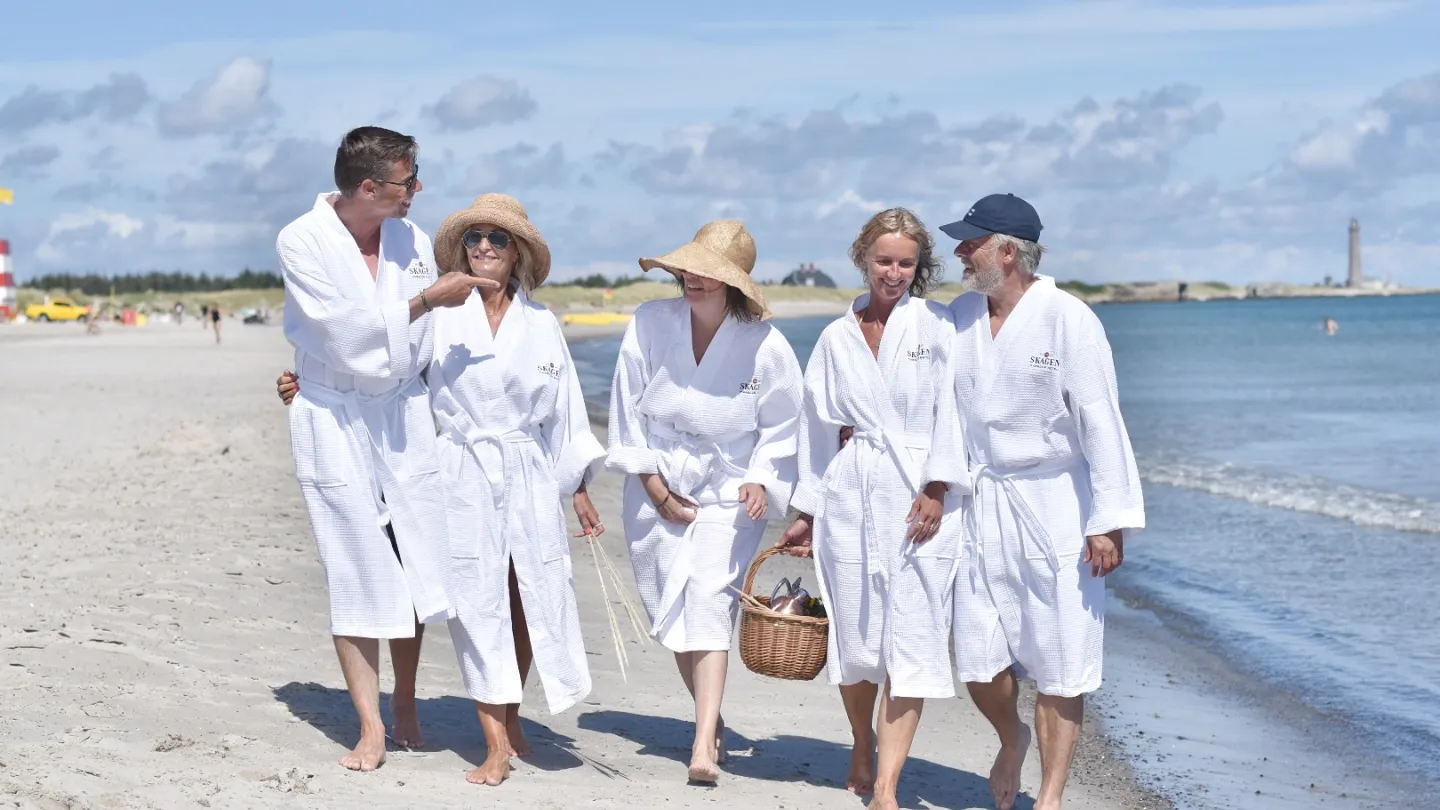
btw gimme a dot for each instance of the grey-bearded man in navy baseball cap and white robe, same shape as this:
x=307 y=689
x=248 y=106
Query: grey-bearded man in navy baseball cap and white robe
x=1055 y=491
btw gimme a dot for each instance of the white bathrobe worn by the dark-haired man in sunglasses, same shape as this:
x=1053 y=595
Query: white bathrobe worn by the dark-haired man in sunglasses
x=361 y=427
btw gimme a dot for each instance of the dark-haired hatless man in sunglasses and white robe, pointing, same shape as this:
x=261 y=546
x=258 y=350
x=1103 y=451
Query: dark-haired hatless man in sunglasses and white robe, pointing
x=359 y=282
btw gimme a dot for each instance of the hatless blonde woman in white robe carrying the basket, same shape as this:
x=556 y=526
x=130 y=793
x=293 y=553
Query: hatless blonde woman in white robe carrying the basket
x=875 y=512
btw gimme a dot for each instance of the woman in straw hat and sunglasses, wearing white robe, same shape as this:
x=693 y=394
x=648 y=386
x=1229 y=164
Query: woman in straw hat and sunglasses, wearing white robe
x=515 y=440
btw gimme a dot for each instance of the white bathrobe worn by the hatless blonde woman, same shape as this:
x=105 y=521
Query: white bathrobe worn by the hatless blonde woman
x=889 y=600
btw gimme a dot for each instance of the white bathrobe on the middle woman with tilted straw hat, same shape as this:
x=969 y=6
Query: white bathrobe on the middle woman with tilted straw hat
x=706 y=429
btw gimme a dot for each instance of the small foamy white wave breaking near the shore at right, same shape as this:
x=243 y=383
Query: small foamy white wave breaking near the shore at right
x=1300 y=494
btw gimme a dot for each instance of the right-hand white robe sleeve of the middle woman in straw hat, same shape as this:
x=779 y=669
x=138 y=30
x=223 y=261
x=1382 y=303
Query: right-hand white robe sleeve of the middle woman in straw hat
x=773 y=462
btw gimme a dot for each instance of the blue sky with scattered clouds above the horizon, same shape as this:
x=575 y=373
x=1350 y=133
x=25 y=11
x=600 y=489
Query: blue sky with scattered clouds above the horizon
x=1200 y=141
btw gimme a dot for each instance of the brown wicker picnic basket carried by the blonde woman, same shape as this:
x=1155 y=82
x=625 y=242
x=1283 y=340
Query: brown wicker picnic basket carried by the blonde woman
x=778 y=645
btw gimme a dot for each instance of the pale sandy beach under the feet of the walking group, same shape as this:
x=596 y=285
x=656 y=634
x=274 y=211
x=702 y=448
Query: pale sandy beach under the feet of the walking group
x=163 y=636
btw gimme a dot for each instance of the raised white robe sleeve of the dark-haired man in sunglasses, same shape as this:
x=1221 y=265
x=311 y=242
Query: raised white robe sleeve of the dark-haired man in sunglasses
x=351 y=338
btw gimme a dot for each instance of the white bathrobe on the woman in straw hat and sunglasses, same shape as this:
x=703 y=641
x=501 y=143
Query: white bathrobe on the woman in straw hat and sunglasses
x=515 y=448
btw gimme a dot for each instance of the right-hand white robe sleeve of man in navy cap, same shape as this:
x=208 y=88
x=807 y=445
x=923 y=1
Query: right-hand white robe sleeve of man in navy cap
x=1115 y=482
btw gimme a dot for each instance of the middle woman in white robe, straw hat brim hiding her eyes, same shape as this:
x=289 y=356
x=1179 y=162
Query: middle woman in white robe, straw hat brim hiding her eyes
x=703 y=422
